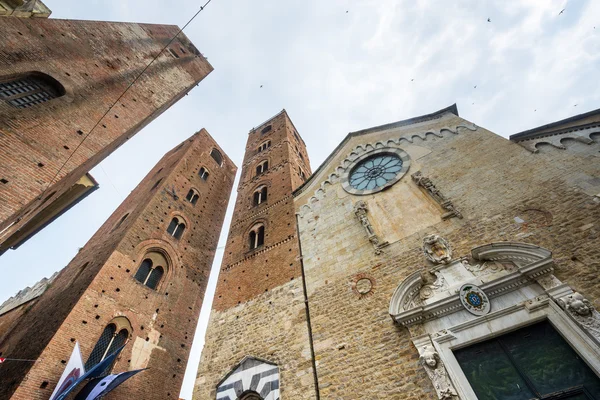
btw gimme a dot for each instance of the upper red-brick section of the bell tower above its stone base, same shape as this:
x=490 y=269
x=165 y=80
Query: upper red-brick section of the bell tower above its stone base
x=262 y=248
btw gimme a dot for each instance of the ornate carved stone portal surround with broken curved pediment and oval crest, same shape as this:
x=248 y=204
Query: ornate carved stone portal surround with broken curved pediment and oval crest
x=516 y=277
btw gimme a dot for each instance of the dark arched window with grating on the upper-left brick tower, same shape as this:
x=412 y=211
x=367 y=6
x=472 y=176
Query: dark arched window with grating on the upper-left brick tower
x=27 y=90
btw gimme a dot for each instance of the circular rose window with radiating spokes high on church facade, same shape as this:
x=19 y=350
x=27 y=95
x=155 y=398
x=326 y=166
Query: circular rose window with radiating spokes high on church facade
x=376 y=171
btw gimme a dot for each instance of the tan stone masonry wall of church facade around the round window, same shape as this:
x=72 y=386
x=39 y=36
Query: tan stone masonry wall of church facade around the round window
x=504 y=192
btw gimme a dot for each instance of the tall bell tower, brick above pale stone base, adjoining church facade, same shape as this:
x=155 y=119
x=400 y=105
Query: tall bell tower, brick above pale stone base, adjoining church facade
x=259 y=308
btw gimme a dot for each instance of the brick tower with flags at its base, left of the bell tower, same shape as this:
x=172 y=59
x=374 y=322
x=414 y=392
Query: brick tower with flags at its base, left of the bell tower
x=140 y=280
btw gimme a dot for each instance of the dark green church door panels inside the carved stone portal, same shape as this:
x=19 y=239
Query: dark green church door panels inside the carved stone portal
x=534 y=362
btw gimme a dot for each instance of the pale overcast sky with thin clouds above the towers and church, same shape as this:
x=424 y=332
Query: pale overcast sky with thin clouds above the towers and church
x=336 y=66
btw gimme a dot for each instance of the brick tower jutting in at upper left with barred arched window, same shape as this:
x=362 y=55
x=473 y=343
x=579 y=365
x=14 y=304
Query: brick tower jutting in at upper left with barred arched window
x=57 y=80
